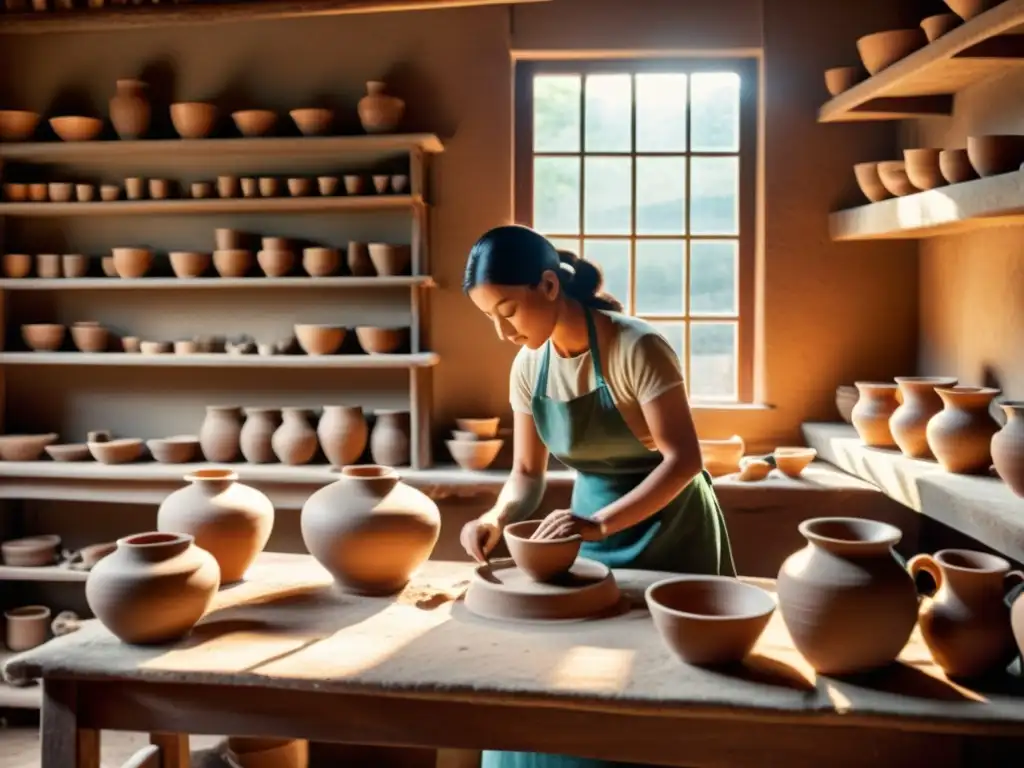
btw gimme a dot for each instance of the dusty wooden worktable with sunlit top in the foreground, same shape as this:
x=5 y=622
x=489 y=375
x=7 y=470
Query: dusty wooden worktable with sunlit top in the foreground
x=284 y=655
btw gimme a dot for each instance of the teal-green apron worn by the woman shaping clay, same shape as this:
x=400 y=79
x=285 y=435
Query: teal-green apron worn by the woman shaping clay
x=589 y=435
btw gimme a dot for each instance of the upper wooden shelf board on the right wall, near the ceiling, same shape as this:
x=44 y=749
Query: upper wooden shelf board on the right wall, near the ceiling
x=925 y=82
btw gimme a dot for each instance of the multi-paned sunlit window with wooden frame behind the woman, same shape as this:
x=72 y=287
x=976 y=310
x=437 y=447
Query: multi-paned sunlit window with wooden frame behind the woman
x=649 y=169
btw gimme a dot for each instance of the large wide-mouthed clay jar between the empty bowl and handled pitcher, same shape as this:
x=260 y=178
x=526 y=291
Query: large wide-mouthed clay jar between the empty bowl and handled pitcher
x=848 y=604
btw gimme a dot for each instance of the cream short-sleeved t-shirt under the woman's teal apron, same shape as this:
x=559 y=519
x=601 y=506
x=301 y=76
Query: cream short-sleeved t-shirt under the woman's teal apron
x=639 y=365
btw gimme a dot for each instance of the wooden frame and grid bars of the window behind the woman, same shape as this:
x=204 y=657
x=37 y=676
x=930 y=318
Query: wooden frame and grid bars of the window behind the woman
x=748 y=69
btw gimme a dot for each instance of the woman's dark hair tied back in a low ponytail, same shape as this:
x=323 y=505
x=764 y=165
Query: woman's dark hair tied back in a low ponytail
x=517 y=255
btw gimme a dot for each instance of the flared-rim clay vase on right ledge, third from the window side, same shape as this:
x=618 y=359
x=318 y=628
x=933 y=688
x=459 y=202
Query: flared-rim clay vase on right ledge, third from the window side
x=961 y=435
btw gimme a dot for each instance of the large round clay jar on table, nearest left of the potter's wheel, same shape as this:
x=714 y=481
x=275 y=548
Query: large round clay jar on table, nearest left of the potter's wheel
x=370 y=530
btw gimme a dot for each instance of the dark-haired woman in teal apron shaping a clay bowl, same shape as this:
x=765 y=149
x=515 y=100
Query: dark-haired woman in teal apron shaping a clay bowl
x=604 y=393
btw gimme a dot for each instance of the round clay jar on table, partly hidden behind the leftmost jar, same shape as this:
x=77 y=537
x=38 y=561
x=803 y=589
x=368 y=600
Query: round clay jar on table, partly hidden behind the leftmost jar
x=230 y=521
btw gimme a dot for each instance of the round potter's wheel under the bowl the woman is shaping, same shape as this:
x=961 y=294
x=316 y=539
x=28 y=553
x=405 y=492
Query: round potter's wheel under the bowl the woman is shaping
x=499 y=590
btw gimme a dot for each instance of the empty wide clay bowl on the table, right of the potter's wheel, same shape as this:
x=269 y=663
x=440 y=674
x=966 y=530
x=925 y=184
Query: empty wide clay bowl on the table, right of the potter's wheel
x=709 y=621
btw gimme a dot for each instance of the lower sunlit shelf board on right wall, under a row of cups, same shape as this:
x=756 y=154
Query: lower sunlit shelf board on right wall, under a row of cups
x=997 y=201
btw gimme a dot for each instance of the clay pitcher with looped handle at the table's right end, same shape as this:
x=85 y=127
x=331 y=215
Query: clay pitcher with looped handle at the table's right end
x=966 y=624
